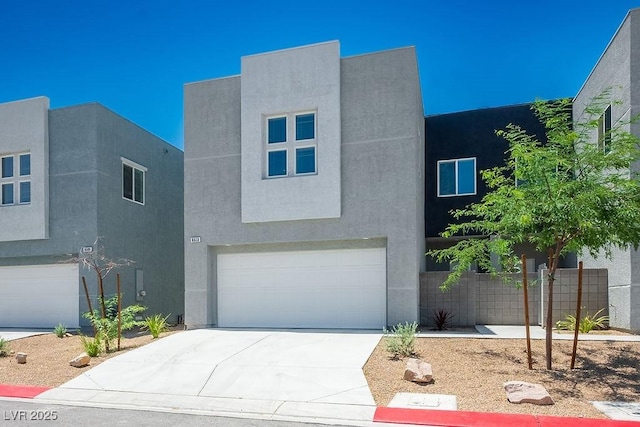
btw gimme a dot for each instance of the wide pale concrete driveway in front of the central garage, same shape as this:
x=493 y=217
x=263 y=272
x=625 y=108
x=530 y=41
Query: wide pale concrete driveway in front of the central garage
x=266 y=372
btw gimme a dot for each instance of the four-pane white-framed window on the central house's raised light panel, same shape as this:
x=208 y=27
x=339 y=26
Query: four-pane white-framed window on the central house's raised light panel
x=291 y=145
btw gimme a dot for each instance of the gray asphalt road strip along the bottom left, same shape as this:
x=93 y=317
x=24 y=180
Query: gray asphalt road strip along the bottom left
x=20 y=413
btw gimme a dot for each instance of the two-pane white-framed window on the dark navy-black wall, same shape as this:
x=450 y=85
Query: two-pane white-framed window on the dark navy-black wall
x=457 y=177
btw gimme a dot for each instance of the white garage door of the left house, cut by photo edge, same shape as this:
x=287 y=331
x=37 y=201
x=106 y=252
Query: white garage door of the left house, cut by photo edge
x=39 y=296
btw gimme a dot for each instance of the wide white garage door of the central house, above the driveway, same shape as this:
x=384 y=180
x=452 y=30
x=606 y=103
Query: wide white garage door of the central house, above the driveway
x=306 y=289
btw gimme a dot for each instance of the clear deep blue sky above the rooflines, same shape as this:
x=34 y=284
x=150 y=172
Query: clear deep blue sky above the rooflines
x=134 y=56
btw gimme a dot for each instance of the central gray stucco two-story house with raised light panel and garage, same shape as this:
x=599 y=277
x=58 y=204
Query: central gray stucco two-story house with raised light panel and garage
x=304 y=191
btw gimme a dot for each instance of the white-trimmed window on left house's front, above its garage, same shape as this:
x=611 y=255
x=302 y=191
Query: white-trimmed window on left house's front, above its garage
x=15 y=179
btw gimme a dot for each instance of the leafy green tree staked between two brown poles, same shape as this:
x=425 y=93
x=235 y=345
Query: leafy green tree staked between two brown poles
x=567 y=194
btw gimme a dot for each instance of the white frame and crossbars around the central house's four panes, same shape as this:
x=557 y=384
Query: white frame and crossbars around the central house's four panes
x=291 y=144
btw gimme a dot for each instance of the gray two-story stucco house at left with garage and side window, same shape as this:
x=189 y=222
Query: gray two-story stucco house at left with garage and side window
x=67 y=176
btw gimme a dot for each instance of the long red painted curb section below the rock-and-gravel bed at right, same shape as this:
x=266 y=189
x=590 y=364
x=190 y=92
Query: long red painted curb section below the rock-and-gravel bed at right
x=486 y=419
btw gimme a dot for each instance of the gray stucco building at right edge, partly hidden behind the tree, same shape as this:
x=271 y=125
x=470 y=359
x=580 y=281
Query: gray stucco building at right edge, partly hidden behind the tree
x=618 y=69
